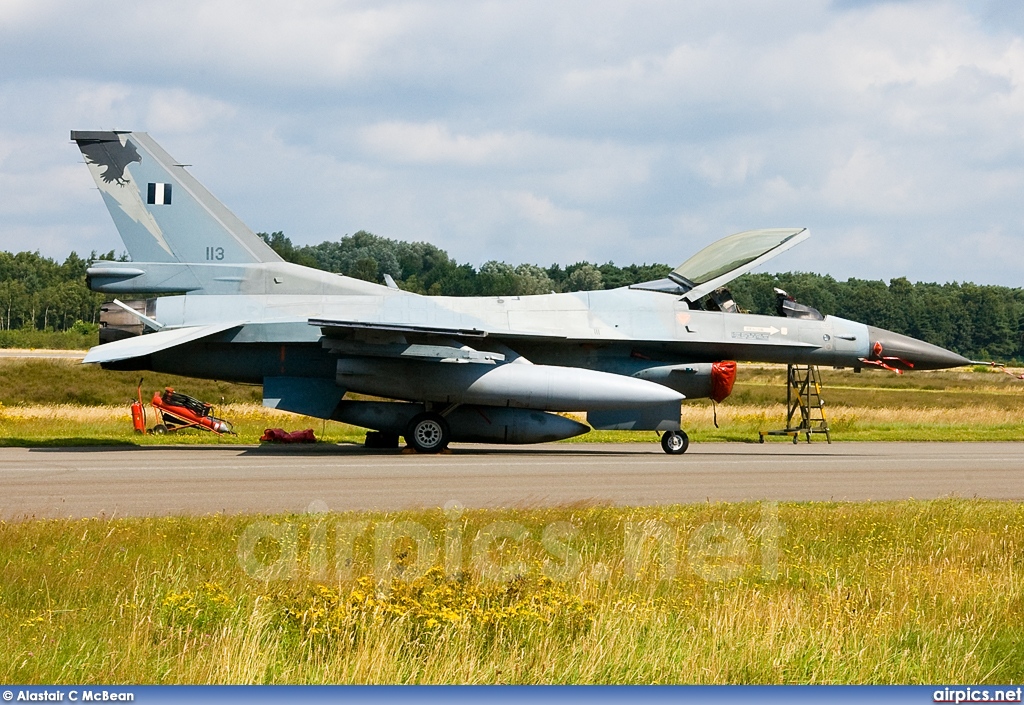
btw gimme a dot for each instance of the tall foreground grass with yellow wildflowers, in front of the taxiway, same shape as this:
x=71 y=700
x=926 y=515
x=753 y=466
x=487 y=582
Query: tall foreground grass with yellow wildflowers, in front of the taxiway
x=895 y=593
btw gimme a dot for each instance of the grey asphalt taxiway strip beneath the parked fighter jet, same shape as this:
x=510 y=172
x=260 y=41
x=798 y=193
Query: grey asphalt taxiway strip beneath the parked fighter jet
x=161 y=481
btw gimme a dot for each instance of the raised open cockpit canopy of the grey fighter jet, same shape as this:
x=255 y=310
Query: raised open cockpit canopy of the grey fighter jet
x=726 y=260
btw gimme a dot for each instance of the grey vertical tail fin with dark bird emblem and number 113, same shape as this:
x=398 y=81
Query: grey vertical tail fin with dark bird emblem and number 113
x=162 y=213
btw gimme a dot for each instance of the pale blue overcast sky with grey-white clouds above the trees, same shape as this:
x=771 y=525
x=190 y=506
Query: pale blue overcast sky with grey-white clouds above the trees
x=543 y=132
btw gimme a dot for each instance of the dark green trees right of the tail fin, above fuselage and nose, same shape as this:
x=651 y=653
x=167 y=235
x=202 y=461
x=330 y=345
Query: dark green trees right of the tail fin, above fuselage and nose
x=977 y=321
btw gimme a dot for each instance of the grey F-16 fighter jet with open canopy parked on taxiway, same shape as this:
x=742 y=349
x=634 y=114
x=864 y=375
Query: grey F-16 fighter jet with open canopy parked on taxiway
x=460 y=369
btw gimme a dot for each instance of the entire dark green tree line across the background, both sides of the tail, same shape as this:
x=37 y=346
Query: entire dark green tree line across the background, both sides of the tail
x=980 y=322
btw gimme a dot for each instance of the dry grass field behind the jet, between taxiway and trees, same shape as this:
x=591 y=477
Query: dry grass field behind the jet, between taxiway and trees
x=63 y=402
